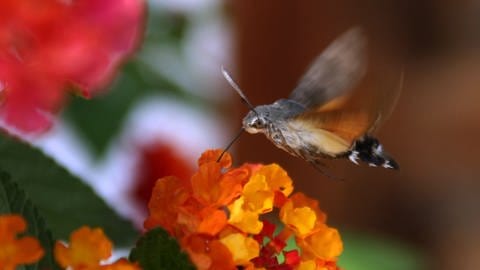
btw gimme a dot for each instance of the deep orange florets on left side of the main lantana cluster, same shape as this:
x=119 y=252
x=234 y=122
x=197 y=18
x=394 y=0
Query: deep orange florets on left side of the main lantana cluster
x=198 y=205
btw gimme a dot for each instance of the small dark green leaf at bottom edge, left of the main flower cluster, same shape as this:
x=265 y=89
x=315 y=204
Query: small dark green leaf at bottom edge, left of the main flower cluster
x=156 y=250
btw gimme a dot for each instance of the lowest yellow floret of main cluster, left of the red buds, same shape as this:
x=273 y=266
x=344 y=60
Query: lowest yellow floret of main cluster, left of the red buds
x=243 y=248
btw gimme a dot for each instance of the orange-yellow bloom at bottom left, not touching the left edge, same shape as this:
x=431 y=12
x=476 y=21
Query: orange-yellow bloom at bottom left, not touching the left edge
x=87 y=248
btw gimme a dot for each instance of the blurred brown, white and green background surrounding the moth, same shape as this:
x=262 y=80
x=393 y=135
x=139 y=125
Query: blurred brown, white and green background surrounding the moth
x=170 y=103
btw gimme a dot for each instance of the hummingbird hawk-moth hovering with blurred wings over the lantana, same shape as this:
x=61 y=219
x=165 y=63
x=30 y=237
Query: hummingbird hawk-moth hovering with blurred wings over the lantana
x=318 y=120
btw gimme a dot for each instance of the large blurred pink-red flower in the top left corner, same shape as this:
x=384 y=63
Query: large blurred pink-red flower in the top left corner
x=47 y=46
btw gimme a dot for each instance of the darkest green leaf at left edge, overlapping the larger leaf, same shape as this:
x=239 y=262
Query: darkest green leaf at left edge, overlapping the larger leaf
x=14 y=201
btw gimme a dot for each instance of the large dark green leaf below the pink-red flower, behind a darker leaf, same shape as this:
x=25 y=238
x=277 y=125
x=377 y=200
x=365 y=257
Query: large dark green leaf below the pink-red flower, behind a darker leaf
x=62 y=199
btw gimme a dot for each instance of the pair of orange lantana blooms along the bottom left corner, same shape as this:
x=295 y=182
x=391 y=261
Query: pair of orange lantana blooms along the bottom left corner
x=87 y=249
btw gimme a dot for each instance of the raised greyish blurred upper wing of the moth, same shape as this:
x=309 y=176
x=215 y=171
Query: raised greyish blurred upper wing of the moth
x=334 y=72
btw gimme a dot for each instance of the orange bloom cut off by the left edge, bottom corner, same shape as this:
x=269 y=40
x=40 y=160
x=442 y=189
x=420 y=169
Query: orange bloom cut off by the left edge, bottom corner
x=16 y=251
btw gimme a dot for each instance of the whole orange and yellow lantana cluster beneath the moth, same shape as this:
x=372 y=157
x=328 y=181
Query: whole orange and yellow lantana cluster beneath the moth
x=219 y=218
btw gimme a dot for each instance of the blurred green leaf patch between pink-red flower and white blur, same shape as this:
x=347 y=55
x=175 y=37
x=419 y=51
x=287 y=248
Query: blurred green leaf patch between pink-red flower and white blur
x=99 y=119
